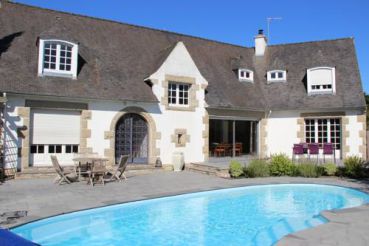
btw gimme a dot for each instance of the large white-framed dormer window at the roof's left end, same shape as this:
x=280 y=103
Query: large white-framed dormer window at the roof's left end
x=58 y=58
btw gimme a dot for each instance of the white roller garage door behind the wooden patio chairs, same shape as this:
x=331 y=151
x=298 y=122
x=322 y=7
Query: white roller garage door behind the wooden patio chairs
x=54 y=132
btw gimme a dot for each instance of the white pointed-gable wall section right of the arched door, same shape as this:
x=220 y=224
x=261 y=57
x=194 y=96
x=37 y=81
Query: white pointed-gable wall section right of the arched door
x=180 y=63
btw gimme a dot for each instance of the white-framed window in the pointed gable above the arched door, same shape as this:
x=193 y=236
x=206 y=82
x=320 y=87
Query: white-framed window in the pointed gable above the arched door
x=178 y=94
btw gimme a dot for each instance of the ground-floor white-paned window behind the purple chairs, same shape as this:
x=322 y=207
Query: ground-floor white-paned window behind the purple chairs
x=323 y=131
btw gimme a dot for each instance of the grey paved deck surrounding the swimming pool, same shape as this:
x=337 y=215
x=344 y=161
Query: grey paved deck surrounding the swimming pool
x=41 y=198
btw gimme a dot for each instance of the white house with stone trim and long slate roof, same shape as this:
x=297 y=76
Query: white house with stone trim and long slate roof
x=72 y=83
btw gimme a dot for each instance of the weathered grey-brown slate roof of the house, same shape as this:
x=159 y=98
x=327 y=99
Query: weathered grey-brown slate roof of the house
x=115 y=58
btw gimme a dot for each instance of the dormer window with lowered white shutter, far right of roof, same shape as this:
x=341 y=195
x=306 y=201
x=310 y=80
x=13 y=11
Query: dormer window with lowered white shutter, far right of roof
x=321 y=80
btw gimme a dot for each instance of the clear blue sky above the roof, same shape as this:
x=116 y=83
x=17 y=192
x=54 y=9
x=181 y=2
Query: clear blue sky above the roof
x=237 y=21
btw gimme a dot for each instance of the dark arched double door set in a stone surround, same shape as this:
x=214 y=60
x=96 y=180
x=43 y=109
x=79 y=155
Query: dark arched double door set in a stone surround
x=131 y=138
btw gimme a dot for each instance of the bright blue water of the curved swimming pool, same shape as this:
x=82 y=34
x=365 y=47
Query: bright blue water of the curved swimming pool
x=254 y=215
